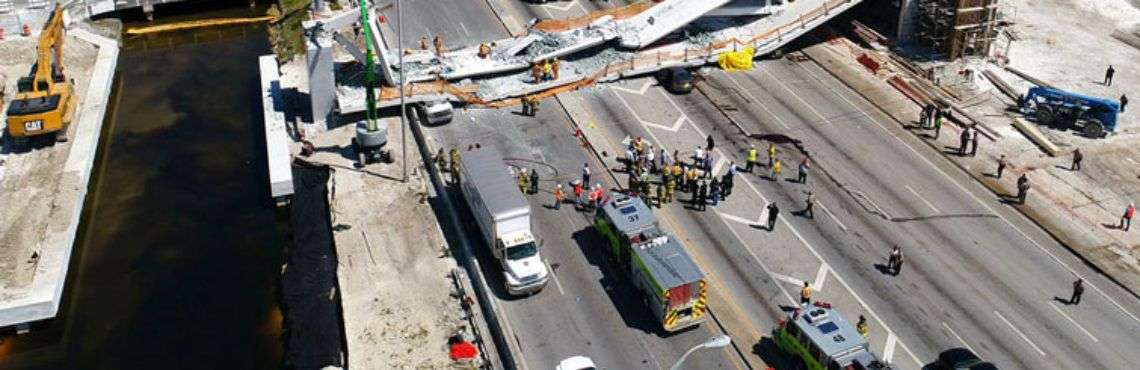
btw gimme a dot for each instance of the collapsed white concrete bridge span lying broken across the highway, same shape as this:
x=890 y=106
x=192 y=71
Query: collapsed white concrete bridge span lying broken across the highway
x=621 y=43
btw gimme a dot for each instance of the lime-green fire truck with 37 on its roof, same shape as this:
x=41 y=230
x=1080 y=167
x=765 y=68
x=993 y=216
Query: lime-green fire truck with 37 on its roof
x=672 y=285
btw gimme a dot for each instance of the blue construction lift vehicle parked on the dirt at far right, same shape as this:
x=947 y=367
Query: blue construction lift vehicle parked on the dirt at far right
x=1055 y=108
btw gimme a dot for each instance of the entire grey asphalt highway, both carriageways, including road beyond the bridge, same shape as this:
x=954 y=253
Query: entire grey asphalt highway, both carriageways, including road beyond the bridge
x=979 y=275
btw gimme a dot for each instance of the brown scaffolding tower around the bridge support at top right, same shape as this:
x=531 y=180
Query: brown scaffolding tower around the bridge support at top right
x=956 y=29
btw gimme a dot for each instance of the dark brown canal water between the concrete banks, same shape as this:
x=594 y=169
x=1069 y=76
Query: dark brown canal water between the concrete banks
x=180 y=252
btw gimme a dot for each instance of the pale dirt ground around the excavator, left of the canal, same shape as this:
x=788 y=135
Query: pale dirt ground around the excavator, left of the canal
x=29 y=182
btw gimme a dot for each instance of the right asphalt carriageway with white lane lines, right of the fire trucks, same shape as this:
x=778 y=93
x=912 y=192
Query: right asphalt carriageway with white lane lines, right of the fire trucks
x=979 y=275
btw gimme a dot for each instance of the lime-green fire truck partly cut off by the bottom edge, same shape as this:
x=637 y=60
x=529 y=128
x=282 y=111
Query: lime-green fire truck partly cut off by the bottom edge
x=820 y=339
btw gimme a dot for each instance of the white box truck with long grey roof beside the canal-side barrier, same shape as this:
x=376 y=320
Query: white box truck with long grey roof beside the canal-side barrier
x=504 y=218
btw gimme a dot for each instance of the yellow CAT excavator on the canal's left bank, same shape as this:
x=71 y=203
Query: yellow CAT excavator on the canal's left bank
x=44 y=103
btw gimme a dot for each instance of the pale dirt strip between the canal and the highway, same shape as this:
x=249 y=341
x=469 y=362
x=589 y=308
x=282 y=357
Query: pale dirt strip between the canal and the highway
x=394 y=269
